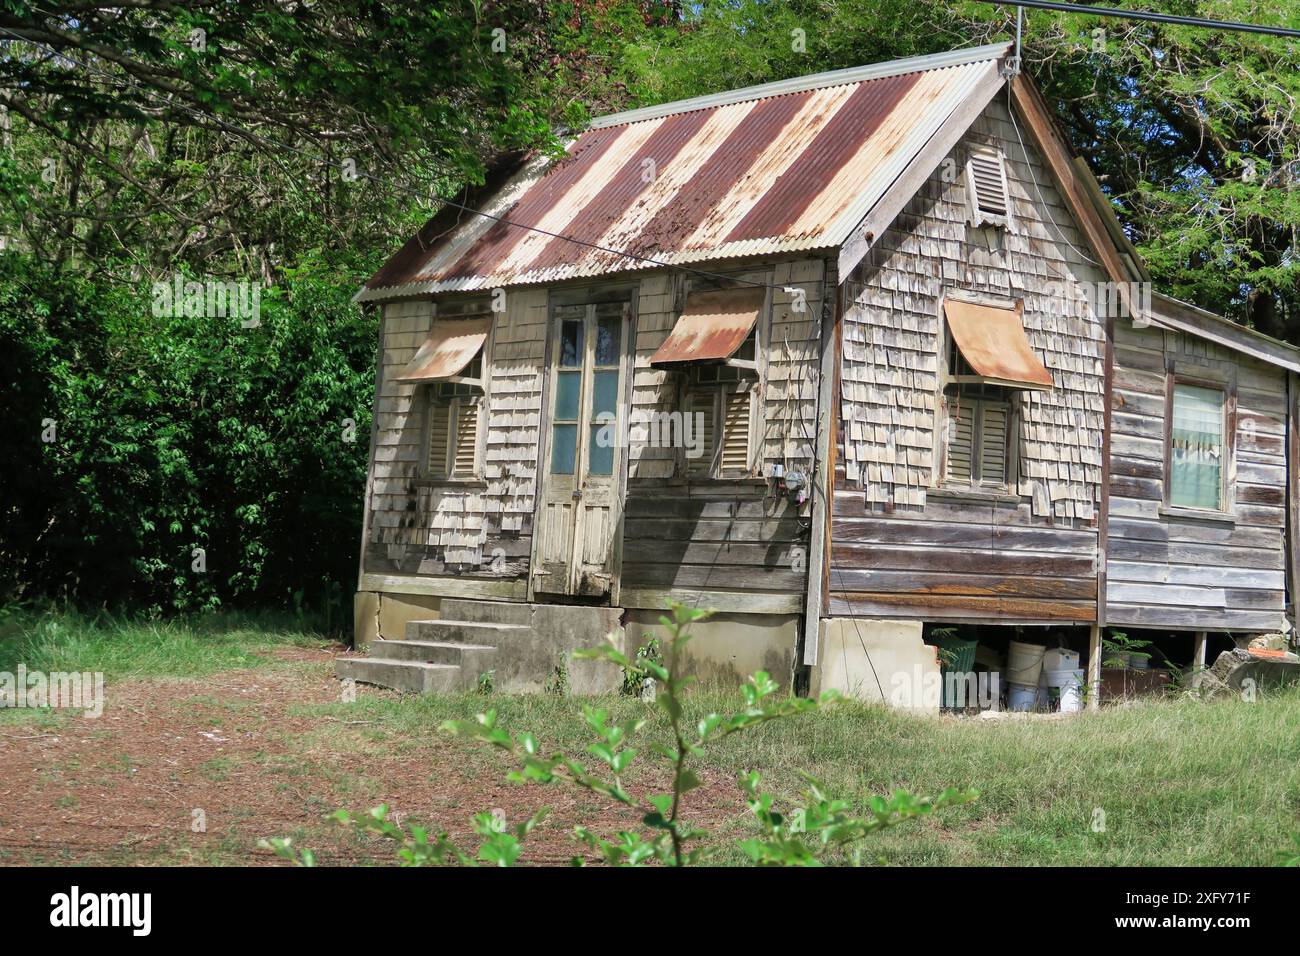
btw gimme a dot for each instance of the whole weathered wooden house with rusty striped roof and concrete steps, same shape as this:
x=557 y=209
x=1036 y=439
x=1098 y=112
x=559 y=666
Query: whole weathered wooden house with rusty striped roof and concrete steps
x=844 y=358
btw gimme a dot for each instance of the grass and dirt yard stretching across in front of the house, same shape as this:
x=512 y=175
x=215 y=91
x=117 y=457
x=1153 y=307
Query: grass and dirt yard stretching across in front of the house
x=248 y=723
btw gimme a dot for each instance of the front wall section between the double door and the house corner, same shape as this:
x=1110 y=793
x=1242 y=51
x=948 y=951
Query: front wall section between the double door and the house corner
x=726 y=544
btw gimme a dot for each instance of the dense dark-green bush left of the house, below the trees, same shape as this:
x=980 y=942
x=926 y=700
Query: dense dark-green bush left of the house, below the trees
x=133 y=439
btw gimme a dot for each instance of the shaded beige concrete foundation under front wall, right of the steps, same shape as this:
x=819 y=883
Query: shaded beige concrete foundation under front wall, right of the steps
x=727 y=648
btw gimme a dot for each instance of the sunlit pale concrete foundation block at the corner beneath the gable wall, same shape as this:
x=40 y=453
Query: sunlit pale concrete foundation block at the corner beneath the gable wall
x=879 y=661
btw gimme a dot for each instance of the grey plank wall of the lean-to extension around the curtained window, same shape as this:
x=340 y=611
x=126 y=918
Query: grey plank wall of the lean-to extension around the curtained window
x=1182 y=573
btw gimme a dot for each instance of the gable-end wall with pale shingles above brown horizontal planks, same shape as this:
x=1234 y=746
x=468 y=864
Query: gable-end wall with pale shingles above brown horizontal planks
x=903 y=548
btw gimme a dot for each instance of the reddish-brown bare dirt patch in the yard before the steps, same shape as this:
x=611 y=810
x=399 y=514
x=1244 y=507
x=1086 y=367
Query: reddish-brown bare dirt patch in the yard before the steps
x=197 y=772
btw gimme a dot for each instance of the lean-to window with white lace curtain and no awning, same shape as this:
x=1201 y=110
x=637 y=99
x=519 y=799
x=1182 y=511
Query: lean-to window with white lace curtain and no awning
x=1197 y=448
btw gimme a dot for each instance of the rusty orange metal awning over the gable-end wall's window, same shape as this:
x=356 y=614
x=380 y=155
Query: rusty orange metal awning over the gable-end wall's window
x=994 y=344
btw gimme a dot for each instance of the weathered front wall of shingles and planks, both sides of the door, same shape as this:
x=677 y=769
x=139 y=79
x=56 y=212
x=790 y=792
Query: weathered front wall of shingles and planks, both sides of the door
x=682 y=537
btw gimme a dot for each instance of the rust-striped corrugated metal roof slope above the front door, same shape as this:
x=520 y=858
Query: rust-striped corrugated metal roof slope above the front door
x=777 y=168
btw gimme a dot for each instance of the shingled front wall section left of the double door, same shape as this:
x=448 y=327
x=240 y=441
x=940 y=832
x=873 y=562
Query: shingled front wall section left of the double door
x=480 y=527
